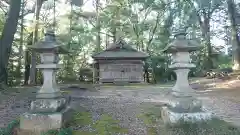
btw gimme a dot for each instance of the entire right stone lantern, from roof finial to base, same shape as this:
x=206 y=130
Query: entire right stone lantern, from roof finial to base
x=183 y=106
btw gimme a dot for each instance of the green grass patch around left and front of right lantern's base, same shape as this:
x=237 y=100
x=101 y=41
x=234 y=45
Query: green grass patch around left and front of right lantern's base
x=152 y=119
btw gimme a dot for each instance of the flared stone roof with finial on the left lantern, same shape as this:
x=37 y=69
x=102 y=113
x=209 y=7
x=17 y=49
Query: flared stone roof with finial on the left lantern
x=49 y=44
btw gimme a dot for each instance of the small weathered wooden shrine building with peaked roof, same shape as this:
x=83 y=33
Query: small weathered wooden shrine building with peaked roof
x=120 y=63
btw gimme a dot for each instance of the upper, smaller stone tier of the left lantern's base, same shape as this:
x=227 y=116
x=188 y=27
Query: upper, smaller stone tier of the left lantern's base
x=48 y=105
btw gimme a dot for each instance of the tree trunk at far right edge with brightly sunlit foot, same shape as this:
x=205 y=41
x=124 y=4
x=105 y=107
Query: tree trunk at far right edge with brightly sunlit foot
x=235 y=39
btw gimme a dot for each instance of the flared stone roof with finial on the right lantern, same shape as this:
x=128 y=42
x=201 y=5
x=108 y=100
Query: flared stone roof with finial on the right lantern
x=181 y=44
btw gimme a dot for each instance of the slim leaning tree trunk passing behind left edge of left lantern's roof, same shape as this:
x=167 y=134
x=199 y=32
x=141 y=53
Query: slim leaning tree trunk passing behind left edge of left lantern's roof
x=33 y=70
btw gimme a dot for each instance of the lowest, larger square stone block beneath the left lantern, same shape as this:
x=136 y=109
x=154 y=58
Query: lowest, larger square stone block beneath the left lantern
x=38 y=122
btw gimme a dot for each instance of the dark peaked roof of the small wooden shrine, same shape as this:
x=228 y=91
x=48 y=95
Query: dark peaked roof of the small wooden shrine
x=120 y=49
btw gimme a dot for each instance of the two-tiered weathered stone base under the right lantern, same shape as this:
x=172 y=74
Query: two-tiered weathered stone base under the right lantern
x=184 y=109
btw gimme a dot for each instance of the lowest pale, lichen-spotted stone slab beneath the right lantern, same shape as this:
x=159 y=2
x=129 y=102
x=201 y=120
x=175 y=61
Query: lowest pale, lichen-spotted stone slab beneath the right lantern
x=173 y=118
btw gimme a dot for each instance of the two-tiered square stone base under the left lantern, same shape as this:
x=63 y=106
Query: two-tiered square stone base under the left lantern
x=45 y=114
